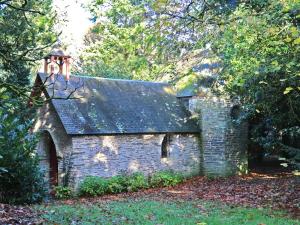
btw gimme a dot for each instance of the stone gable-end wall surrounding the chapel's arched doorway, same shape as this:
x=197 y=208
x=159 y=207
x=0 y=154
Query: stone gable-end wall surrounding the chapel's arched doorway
x=48 y=121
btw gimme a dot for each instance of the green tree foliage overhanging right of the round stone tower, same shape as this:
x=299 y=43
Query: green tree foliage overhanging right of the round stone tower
x=259 y=51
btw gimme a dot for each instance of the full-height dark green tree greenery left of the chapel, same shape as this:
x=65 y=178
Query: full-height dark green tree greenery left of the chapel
x=26 y=33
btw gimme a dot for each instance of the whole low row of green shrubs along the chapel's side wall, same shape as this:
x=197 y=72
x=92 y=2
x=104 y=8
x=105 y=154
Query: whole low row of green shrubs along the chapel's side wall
x=97 y=186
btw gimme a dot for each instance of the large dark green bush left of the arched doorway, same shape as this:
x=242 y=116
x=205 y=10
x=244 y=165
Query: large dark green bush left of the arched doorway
x=21 y=180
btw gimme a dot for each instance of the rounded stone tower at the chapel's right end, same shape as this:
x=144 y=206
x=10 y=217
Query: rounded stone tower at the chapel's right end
x=224 y=143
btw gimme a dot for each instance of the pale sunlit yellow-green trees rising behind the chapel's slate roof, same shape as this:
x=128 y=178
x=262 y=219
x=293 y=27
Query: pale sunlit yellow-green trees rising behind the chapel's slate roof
x=146 y=39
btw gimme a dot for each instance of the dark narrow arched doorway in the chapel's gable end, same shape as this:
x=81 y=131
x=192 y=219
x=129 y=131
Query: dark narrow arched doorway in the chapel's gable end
x=53 y=163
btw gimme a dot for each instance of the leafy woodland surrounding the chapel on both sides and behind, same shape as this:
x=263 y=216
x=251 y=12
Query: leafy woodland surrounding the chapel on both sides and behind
x=253 y=46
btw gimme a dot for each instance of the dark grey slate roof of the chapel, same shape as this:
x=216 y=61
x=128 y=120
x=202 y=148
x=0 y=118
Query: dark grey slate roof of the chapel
x=111 y=106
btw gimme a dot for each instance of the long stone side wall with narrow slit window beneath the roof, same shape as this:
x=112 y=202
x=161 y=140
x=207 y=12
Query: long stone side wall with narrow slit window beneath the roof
x=107 y=156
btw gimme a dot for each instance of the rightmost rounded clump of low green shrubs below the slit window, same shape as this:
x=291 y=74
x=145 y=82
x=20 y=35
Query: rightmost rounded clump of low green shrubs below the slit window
x=165 y=179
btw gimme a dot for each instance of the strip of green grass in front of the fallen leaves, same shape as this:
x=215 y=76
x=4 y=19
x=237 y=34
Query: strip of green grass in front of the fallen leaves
x=155 y=212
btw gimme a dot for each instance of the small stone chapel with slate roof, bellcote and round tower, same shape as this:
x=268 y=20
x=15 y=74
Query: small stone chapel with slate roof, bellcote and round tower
x=104 y=127
